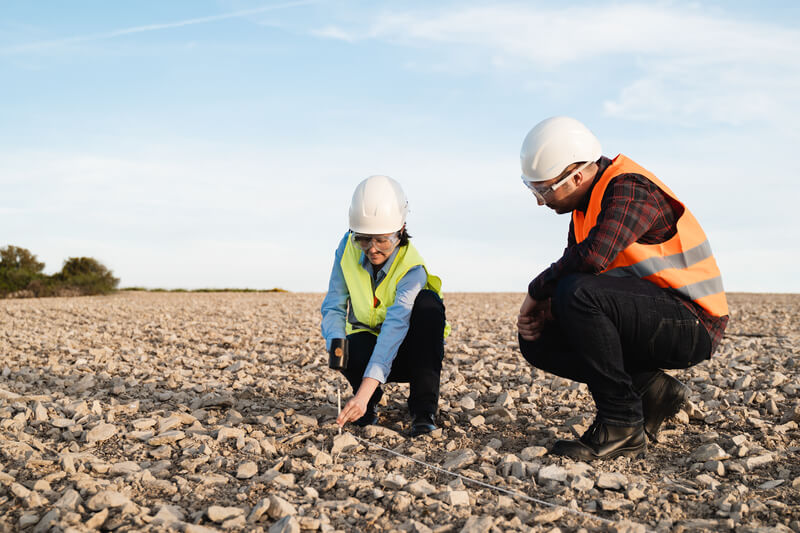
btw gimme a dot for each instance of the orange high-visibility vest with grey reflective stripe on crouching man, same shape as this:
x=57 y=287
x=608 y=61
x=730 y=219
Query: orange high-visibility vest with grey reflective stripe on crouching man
x=683 y=263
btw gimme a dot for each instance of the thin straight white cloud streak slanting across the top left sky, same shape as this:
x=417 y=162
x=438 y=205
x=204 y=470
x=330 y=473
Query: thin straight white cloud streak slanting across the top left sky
x=39 y=45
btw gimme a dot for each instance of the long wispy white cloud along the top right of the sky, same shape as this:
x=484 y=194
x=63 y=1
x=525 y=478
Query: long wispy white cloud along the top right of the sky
x=551 y=37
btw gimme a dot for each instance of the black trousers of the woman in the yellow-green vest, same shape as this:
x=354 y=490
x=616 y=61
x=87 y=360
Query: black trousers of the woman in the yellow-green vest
x=418 y=361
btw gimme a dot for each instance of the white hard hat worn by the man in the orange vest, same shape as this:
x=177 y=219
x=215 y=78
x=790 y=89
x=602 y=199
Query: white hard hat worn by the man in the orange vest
x=553 y=144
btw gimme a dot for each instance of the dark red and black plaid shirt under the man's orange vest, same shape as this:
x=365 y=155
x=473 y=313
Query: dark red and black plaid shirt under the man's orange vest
x=633 y=209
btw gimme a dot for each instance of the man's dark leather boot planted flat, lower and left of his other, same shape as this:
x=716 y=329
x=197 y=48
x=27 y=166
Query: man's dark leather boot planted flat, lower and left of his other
x=602 y=441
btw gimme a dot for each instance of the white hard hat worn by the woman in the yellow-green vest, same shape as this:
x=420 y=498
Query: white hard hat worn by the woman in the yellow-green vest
x=379 y=206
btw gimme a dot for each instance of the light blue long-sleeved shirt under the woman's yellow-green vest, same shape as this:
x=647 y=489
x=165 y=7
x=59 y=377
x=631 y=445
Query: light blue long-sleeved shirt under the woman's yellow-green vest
x=398 y=315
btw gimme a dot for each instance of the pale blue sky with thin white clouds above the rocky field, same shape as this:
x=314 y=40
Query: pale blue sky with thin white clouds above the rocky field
x=217 y=143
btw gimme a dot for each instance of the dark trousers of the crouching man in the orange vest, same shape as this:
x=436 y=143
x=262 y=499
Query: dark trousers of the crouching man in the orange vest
x=614 y=334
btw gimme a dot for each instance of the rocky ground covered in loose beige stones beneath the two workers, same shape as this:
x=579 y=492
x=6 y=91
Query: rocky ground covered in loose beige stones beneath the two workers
x=200 y=412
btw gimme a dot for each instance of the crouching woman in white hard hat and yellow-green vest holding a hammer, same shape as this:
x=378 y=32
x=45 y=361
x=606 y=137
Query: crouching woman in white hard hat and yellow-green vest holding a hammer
x=383 y=301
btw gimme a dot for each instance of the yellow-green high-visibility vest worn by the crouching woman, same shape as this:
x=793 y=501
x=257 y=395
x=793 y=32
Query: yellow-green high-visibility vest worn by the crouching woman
x=368 y=307
